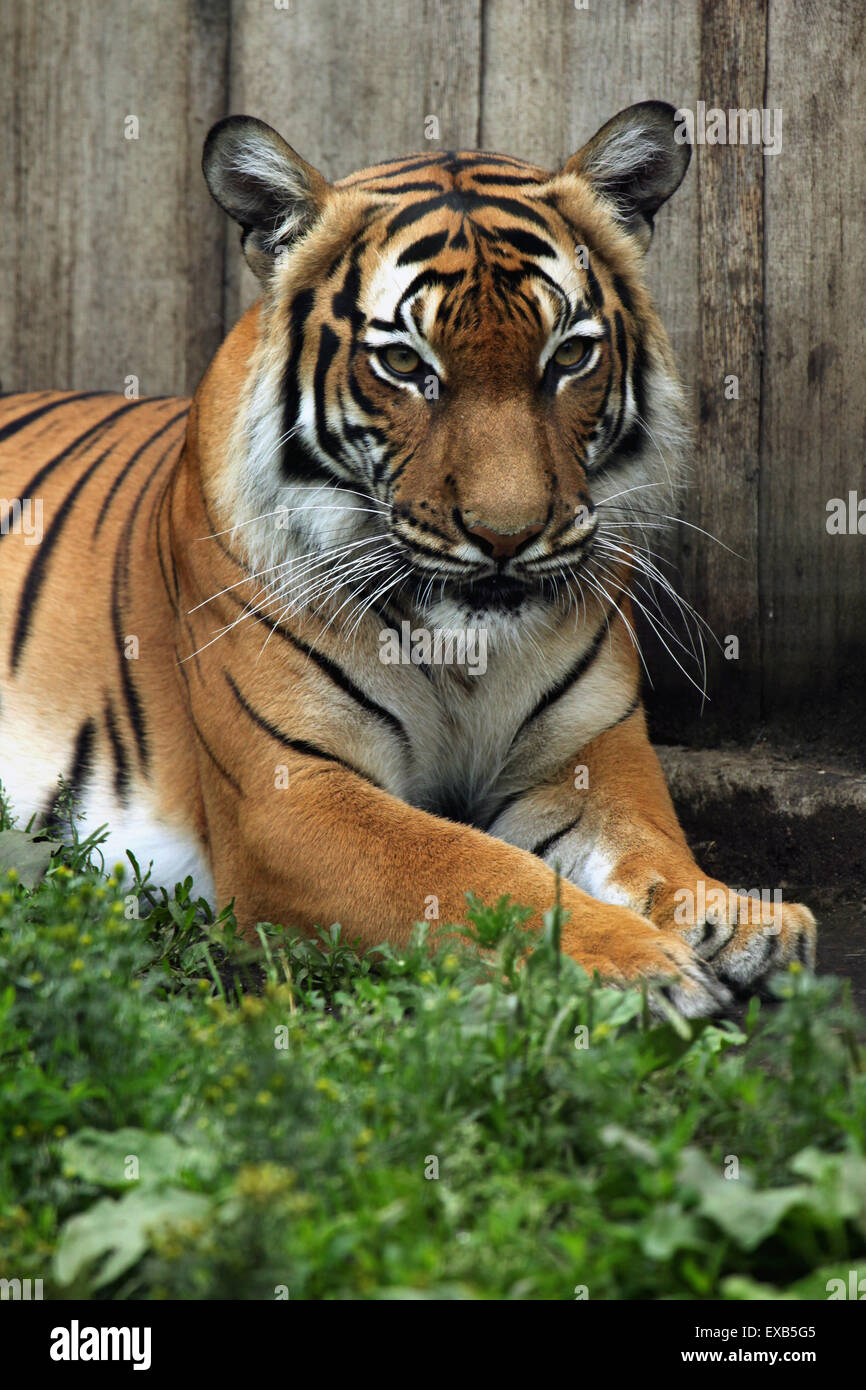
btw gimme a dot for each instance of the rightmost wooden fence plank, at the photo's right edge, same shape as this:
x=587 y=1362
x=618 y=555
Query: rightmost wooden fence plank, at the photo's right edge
x=814 y=584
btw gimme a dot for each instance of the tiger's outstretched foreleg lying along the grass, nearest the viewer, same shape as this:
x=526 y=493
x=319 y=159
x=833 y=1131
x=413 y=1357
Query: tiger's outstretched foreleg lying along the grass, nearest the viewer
x=337 y=849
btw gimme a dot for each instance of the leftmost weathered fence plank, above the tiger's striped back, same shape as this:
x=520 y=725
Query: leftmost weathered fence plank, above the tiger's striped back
x=112 y=247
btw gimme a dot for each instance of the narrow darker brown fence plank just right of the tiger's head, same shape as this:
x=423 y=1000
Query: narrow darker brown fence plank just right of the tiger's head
x=730 y=315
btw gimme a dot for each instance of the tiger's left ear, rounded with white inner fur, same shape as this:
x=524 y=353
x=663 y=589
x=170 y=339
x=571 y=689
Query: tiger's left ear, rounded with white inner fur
x=265 y=186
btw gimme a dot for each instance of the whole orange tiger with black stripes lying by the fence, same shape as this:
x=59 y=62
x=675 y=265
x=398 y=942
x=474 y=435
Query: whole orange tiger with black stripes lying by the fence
x=452 y=411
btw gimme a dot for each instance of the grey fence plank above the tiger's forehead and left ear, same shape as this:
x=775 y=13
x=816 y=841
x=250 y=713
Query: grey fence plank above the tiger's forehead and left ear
x=351 y=88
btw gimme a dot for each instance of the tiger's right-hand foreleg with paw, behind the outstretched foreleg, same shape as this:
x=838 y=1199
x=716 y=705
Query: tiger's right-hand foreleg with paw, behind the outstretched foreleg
x=628 y=847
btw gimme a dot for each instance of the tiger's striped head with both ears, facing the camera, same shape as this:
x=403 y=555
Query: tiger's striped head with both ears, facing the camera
x=458 y=394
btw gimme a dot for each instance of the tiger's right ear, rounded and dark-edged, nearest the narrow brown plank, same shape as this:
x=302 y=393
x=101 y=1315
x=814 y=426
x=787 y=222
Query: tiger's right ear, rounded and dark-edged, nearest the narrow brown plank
x=636 y=162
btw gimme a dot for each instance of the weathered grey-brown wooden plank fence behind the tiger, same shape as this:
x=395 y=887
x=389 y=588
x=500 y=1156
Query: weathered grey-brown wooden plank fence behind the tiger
x=117 y=263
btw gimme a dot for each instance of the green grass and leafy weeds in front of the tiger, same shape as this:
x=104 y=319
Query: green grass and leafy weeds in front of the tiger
x=187 y=1118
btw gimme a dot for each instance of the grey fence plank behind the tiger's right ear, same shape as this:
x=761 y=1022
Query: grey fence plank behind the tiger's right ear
x=553 y=76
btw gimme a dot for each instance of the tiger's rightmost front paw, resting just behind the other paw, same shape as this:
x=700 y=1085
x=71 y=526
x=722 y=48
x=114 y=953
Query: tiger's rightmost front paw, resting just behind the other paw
x=743 y=936
